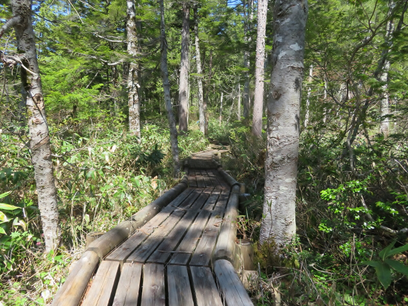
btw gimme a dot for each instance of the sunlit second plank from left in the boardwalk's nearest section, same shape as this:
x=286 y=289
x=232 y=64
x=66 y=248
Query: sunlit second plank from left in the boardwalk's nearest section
x=127 y=293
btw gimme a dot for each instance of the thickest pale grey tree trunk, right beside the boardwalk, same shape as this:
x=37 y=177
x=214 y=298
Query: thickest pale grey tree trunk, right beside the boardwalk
x=279 y=221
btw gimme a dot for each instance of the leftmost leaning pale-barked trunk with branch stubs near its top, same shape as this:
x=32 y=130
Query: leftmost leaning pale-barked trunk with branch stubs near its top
x=37 y=123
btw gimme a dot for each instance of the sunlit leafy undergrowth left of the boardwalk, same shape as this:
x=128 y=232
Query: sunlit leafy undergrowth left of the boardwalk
x=103 y=176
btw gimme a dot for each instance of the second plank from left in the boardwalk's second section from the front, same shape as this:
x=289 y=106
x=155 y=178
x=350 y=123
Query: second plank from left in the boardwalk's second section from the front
x=142 y=253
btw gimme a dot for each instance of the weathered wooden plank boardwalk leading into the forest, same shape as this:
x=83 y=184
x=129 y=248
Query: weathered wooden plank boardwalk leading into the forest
x=170 y=259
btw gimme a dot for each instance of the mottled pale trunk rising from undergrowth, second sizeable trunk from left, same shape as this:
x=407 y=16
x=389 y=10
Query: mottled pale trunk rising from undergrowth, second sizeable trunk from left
x=133 y=97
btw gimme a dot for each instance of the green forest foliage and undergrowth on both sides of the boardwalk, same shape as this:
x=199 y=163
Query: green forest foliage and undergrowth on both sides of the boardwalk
x=352 y=194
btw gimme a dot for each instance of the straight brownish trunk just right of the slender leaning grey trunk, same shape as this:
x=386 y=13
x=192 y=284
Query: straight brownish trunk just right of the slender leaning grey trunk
x=184 y=69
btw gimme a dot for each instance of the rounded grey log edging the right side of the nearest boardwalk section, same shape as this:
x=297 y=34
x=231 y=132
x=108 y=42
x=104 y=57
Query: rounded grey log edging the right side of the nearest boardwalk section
x=231 y=287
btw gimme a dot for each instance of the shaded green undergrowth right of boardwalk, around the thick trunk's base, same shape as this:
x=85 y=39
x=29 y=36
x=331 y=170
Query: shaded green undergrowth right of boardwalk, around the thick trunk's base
x=346 y=218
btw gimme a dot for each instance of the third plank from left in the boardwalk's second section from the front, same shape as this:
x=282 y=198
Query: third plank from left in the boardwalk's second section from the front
x=164 y=251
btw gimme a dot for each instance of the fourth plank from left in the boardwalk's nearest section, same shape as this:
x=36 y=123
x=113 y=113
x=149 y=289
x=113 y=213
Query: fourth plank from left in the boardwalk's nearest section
x=179 y=289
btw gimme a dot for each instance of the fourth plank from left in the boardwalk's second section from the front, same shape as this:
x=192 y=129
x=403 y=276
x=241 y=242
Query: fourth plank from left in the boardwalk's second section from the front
x=190 y=240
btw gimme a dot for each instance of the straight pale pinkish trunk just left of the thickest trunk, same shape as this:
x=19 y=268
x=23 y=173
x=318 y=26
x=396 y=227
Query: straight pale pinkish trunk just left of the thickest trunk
x=259 y=69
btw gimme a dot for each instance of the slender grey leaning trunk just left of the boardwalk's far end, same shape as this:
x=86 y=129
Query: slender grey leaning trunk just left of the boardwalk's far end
x=166 y=88
